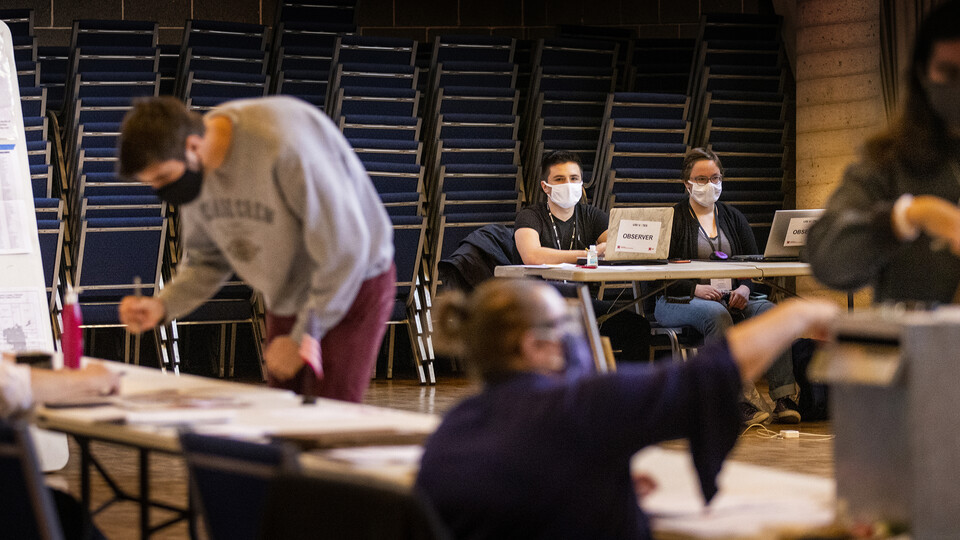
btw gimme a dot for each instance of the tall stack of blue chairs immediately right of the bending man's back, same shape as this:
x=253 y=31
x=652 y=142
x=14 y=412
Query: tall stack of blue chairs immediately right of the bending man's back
x=374 y=100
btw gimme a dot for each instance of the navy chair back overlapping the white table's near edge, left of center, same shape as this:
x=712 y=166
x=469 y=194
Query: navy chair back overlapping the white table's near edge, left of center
x=231 y=478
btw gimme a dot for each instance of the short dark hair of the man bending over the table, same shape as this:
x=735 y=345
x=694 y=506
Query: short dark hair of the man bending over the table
x=155 y=129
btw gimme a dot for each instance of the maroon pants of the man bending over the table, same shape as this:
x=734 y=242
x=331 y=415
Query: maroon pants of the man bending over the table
x=349 y=349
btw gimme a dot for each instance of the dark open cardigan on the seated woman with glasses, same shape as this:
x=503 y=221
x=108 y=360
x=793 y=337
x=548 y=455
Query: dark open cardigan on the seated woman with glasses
x=683 y=240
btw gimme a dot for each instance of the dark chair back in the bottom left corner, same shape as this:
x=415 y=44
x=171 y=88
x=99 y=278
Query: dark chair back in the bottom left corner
x=26 y=506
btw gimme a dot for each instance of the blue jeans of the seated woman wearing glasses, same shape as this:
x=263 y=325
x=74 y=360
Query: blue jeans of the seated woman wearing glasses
x=713 y=319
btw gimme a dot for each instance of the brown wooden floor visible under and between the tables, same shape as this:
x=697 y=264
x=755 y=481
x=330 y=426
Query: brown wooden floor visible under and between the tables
x=169 y=478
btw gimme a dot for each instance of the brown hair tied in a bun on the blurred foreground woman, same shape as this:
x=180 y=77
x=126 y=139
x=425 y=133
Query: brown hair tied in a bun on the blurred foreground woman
x=486 y=327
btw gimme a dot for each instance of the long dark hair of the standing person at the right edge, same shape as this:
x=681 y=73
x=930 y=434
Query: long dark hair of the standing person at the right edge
x=917 y=138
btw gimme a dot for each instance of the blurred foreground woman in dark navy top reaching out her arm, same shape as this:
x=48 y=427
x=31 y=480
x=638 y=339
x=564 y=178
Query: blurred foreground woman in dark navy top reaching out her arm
x=540 y=455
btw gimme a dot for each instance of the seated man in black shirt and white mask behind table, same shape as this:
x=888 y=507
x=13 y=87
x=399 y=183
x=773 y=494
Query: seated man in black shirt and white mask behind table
x=561 y=230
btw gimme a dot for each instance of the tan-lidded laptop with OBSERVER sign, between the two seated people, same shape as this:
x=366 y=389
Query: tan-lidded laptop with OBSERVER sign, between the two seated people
x=637 y=236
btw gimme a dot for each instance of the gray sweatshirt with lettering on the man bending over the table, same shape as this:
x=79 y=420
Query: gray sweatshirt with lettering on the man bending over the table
x=291 y=210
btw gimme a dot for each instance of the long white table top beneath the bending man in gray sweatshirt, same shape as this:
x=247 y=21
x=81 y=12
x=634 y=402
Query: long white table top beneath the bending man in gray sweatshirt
x=239 y=410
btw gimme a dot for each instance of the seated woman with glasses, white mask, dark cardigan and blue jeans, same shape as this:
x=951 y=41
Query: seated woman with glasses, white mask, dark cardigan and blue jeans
x=705 y=228
